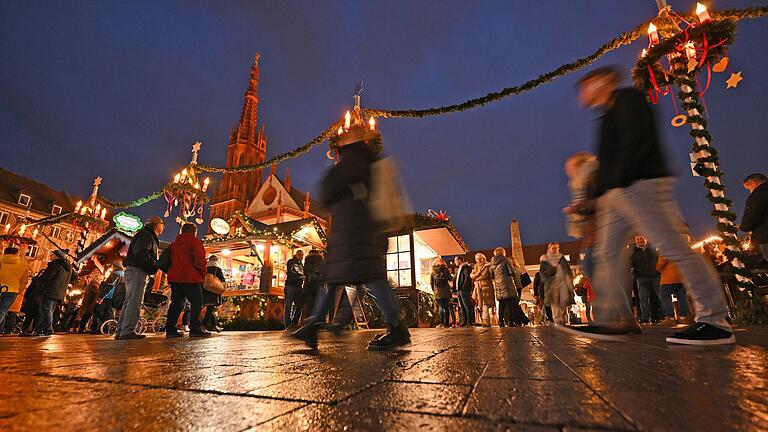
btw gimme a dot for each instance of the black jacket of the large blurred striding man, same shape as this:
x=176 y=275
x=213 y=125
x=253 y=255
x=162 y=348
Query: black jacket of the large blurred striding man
x=629 y=148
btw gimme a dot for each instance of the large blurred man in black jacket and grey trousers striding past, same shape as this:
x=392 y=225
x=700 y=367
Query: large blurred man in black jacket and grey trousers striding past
x=635 y=194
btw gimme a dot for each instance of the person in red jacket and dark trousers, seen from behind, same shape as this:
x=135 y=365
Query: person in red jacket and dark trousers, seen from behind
x=186 y=276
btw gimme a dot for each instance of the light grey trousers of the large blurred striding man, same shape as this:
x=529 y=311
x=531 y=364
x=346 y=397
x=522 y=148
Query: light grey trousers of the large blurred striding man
x=648 y=207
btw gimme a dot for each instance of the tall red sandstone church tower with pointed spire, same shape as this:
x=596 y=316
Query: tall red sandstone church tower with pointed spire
x=247 y=146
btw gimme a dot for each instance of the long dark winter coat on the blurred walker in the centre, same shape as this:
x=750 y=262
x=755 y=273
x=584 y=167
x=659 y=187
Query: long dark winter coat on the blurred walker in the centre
x=356 y=246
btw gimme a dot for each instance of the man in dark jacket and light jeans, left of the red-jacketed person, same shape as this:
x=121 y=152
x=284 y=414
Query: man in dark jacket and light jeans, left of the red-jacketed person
x=140 y=264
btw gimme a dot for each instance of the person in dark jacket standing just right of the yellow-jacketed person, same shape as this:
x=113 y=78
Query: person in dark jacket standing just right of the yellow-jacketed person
x=54 y=282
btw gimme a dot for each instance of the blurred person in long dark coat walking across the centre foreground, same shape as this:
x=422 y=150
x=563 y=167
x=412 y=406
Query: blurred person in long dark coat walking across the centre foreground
x=356 y=245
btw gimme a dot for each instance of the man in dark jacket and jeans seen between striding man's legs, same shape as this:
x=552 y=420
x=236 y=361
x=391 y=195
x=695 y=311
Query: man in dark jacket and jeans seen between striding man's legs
x=644 y=260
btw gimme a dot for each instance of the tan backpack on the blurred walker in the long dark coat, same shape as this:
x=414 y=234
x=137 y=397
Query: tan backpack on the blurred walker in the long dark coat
x=388 y=202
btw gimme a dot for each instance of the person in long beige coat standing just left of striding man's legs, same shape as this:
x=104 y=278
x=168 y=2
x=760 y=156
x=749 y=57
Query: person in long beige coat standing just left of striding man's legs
x=557 y=281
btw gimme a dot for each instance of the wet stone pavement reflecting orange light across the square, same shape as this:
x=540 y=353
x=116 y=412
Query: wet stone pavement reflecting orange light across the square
x=518 y=379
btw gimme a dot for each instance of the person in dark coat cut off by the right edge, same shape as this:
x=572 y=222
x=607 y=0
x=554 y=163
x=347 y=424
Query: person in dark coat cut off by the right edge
x=755 y=219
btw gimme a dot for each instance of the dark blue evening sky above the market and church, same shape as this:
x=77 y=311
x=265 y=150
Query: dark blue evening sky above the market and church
x=123 y=89
